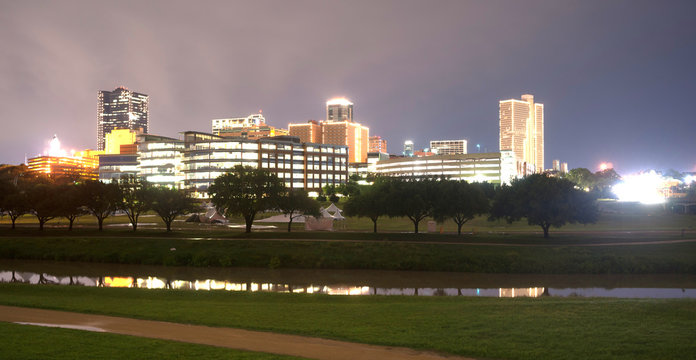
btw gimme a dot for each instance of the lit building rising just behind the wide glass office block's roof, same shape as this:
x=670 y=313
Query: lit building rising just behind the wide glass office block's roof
x=251 y=127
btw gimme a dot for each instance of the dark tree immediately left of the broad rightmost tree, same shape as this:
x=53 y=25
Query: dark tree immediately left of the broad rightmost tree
x=460 y=201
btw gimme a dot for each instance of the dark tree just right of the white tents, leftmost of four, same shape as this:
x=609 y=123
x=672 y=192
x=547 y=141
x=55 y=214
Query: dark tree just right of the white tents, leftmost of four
x=370 y=201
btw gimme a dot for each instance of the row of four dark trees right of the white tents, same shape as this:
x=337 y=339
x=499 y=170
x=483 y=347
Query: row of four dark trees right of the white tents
x=543 y=200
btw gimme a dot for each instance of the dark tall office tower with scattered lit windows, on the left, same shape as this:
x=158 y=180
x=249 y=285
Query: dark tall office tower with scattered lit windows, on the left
x=121 y=109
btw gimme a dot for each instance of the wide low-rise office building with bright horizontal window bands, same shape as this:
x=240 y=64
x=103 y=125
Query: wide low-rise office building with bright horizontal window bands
x=197 y=160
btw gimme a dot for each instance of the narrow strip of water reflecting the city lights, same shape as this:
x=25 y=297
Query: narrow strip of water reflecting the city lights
x=152 y=282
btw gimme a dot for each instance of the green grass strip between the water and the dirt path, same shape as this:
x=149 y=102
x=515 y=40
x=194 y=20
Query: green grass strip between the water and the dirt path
x=522 y=328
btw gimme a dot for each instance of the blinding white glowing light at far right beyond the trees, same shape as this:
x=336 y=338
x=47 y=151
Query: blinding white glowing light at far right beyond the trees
x=645 y=188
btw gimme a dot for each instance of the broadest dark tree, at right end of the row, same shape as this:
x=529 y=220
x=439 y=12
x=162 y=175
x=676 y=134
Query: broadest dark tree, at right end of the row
x=545 y=201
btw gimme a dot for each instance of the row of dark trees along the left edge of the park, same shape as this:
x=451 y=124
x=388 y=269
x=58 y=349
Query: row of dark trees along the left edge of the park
x=48 y=199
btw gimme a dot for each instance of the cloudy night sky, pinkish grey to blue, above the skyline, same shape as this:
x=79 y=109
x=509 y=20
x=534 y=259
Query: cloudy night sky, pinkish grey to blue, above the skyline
x=617 y=78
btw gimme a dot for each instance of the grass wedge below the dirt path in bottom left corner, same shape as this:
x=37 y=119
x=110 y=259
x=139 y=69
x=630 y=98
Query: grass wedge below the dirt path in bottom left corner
x=33 y=342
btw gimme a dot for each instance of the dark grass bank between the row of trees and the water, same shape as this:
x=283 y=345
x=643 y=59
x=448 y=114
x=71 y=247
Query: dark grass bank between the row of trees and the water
x=526 y=256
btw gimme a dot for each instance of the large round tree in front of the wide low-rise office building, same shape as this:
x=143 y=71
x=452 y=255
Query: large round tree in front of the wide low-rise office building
x=245 y=191
